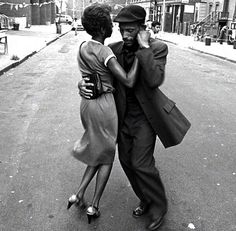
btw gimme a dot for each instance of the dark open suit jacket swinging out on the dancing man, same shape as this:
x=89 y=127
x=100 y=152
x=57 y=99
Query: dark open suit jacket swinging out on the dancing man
x=168 y=122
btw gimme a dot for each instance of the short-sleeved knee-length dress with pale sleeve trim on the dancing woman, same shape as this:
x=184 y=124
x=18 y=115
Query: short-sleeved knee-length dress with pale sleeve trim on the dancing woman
x=99 y=116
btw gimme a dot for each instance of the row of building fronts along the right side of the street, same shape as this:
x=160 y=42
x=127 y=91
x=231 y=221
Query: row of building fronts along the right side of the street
x=178 y=15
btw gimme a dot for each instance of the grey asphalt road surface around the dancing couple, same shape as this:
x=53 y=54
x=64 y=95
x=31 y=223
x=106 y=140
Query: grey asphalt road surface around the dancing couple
x=39 y=123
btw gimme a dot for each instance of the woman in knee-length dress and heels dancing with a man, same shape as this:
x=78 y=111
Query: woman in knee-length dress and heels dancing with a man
x=97 y=146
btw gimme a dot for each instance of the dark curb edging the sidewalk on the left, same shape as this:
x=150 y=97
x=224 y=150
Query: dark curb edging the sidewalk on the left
x=15 y=64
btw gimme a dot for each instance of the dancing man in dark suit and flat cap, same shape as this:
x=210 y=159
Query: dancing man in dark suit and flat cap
x=141 y=113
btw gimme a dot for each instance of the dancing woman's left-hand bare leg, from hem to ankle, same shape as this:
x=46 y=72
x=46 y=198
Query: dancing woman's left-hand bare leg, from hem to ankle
x=87 y=177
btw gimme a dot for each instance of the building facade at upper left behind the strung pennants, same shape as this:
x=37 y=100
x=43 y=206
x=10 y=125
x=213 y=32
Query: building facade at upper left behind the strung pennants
x=29 y=12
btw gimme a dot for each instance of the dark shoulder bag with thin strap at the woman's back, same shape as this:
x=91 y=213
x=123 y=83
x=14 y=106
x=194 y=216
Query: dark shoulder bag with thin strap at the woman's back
x=94 y=78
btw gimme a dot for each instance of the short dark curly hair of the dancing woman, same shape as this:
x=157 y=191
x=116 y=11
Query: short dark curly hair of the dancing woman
x=95 y=17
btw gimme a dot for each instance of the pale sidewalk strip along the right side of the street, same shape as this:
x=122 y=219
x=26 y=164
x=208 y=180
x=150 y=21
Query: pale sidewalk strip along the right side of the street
x=223 y=51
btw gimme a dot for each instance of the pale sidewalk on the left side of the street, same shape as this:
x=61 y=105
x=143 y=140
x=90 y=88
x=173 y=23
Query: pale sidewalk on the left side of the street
x=26 y=42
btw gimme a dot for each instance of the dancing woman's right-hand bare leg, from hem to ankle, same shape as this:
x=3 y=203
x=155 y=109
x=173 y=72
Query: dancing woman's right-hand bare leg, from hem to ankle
x=103 y=174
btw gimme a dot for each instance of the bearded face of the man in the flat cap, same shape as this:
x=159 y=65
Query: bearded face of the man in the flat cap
x=129 y=32
